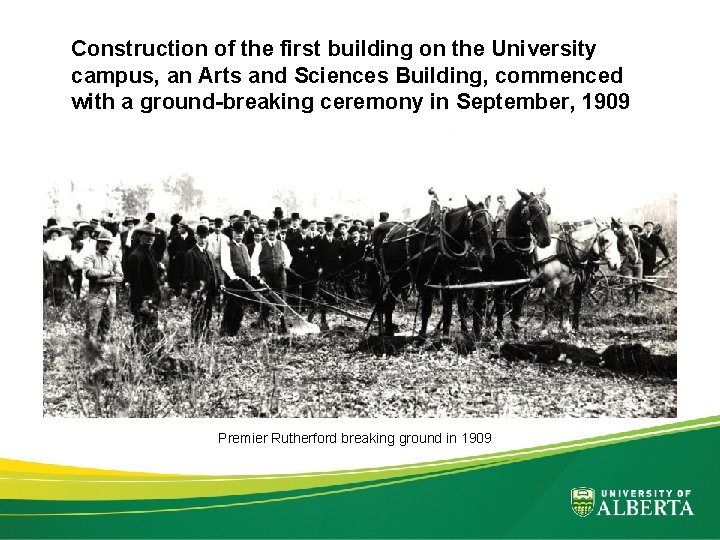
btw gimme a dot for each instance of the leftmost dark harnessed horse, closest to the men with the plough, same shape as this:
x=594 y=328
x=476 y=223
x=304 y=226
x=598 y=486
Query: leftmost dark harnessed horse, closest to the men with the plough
x=426 y=251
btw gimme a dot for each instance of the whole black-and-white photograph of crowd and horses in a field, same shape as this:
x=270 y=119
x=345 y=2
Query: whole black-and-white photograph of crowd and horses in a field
x=197 y=296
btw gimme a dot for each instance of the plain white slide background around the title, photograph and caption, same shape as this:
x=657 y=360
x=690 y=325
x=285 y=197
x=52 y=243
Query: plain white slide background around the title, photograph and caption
x=602 y=161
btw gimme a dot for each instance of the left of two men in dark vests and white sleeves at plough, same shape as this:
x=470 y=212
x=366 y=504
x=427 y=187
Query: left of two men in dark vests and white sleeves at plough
x=235 y=261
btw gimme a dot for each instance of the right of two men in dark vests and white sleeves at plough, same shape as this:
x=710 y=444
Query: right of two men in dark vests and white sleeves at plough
x=268 y=262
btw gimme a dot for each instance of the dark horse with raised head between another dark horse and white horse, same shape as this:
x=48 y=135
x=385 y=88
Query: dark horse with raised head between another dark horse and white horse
x=525 y=227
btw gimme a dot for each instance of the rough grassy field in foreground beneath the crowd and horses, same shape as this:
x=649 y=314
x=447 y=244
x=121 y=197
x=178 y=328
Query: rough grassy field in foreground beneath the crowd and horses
x=258 y=374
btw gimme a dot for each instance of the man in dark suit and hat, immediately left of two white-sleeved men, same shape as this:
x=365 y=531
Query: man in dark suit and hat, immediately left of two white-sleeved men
x=201 y=283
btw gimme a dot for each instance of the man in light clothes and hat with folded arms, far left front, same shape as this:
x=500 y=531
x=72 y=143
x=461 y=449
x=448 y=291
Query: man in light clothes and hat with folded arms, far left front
x=103 y=273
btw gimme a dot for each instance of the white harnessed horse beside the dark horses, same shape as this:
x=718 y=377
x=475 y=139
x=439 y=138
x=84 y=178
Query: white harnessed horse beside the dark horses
x=563 y=268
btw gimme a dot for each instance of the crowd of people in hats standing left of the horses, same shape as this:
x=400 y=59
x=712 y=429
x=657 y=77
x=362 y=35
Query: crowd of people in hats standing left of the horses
x=214 y=264
